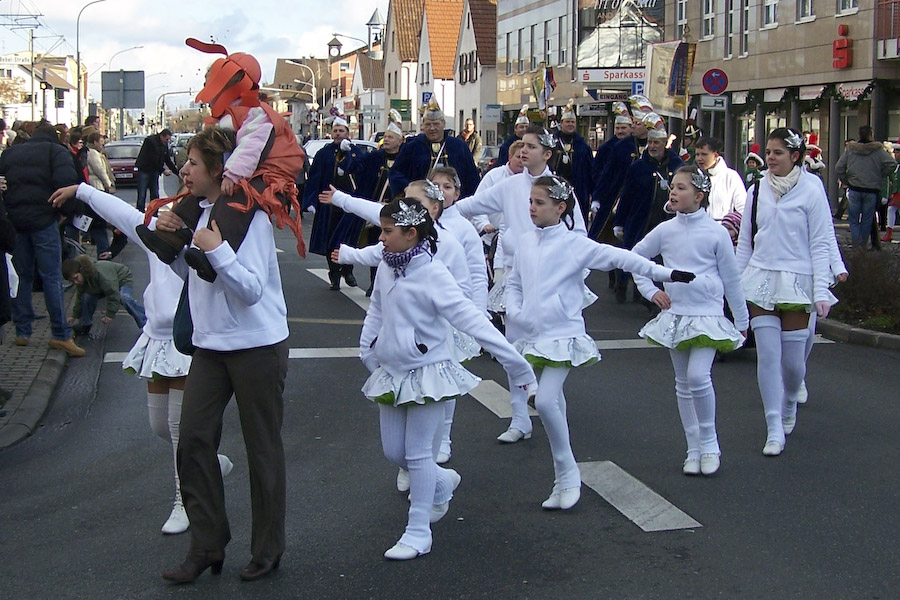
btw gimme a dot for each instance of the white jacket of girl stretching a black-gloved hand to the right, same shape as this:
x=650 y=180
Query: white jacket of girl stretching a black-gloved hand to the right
x=550 y=264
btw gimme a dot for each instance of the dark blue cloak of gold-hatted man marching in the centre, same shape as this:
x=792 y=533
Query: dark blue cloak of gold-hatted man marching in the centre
x=414 y=162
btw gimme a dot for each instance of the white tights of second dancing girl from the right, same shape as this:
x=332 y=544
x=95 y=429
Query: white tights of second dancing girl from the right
x=696 y=399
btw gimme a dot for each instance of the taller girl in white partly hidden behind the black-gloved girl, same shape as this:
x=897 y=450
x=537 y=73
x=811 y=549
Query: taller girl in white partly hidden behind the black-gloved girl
x=511 y=197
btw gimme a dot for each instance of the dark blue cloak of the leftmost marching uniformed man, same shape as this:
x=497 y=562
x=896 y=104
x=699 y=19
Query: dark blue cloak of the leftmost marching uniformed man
x=332 y=226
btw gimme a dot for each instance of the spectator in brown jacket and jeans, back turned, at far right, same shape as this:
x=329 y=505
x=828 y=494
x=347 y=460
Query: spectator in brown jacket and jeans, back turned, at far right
x=862 y=168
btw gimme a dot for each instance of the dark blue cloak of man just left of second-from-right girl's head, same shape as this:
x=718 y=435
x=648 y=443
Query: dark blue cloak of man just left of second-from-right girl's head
x=642 y=193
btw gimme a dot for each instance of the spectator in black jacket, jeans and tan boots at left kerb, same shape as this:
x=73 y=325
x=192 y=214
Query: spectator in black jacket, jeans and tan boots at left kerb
x=34 y=169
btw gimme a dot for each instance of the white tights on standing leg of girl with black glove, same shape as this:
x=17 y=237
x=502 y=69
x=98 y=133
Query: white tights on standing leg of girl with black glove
x=551 y=405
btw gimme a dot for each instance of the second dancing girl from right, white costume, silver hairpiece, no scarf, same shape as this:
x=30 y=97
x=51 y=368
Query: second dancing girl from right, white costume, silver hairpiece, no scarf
x=692 y=324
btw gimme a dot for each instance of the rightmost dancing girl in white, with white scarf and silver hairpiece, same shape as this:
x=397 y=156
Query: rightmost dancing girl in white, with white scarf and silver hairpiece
x=784 y=258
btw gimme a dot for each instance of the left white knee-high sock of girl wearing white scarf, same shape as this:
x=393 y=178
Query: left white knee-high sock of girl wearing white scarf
x=767 y=329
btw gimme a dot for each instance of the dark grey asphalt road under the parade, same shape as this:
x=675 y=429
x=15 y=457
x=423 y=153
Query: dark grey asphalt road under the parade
x=82 y=500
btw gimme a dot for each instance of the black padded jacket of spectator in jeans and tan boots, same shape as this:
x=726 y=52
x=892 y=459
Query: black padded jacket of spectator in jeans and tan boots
x=34 y=170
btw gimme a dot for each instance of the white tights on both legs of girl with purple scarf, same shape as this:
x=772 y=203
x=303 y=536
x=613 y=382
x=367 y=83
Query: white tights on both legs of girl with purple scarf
x=408 y=434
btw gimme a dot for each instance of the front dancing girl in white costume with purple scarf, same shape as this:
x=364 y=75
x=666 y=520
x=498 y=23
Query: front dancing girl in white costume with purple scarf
x=405 y=343
